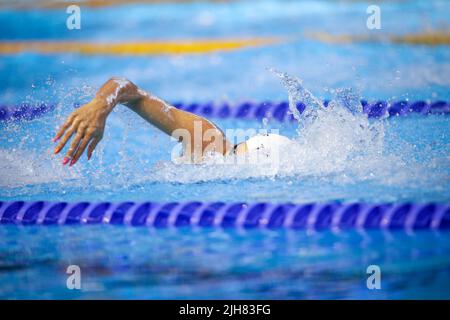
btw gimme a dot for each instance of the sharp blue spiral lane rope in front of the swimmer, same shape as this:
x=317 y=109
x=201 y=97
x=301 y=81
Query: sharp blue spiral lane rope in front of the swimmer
x=316 y=216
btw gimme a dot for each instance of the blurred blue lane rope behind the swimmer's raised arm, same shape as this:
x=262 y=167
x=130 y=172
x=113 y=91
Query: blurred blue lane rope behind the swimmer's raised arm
x=256 y=110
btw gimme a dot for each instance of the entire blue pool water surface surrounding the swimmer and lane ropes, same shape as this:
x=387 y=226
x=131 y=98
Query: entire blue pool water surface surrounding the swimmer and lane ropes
x=343 y=157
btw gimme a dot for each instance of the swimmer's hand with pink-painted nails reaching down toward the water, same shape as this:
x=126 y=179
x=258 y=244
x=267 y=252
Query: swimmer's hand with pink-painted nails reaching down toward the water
x=87 y=125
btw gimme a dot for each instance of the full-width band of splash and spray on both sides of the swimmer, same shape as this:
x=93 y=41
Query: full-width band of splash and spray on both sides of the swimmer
x=336 y=145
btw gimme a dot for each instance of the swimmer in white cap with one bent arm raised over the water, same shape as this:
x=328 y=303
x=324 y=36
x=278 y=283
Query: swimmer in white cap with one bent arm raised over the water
x=87 y=124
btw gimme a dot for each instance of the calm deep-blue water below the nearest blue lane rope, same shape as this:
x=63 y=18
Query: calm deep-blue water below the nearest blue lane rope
x=123 y=263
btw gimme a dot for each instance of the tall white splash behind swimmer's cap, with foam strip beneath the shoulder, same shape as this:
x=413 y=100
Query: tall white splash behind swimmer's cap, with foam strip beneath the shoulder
x=336 y=143
